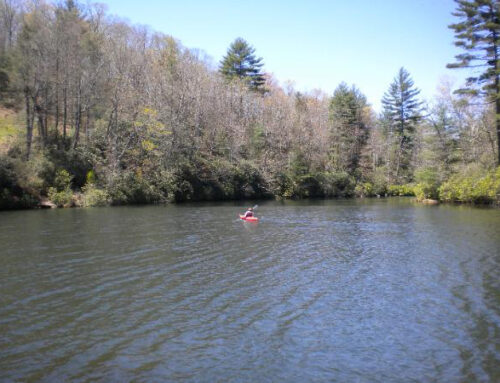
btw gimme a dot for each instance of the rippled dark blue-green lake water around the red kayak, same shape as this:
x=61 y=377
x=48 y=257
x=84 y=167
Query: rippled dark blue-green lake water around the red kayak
x=335 y=291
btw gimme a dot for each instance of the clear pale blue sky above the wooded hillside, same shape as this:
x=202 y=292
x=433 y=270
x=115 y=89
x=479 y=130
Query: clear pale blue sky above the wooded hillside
x=318 y=43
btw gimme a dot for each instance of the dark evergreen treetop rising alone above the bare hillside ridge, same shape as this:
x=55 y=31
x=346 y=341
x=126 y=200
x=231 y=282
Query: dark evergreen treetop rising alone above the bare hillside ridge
x=240 y=62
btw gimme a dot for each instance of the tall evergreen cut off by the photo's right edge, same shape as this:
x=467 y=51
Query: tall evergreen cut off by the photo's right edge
x=478 y=33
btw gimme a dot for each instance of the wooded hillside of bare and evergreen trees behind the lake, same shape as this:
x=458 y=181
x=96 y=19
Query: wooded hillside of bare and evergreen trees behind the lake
x=96 y=111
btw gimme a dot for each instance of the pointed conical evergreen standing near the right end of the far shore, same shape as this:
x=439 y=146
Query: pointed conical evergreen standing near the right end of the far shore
x=401 y=114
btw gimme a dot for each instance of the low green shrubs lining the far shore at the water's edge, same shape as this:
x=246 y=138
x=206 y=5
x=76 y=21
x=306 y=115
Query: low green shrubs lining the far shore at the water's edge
x=470 y=188
